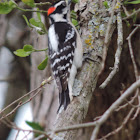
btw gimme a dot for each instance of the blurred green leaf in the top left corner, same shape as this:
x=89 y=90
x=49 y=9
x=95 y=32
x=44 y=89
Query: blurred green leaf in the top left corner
x=6 y=7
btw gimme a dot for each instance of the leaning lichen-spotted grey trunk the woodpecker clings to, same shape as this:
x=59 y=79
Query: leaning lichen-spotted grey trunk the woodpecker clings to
x=88 y=76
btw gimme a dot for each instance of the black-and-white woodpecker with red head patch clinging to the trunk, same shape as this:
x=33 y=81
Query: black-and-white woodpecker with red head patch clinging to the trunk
x=65 y=50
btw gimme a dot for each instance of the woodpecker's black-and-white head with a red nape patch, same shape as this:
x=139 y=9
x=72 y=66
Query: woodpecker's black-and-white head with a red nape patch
x=58 y=12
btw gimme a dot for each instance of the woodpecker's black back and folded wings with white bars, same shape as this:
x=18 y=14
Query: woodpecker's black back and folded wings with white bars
x=61 y=52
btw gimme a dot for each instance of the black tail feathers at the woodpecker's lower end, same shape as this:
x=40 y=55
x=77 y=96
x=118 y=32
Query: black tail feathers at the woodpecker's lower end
x=64 y=99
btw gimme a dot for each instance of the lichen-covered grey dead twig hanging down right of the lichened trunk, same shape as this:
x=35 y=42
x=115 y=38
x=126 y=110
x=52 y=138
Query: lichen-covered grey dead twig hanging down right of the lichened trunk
x=118 y=52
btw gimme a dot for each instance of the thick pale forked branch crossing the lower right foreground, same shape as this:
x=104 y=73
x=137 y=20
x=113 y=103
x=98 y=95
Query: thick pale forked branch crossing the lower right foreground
x=105 y=116
